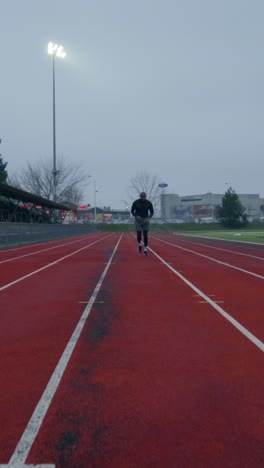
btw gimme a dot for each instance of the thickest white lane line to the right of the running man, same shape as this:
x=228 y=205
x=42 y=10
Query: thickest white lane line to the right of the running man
x=219 y=309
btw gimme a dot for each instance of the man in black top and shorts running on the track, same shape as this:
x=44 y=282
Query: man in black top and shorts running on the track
x=142 y=210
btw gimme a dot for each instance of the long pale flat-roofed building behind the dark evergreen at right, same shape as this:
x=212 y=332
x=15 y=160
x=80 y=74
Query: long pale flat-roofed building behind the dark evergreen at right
x=195 y=208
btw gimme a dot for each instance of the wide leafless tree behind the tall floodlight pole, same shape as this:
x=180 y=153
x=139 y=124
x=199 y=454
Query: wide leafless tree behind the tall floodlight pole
x=37 y=178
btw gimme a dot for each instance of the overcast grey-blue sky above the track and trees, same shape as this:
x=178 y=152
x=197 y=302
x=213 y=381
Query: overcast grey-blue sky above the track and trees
x=171 y=87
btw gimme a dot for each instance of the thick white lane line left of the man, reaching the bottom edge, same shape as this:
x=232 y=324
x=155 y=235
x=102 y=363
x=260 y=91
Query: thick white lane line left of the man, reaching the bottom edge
x=28 y=437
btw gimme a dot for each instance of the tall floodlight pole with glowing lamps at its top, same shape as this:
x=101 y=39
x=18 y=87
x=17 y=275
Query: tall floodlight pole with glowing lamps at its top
x=56 y=51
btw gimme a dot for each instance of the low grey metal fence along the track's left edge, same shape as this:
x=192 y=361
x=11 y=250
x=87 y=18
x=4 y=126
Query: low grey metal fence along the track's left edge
x=12 y=234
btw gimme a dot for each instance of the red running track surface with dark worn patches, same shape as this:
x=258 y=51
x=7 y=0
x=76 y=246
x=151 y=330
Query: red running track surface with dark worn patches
x=158 y=378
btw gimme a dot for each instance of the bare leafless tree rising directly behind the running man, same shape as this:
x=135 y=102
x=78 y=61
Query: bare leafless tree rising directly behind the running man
x=145 y=182
